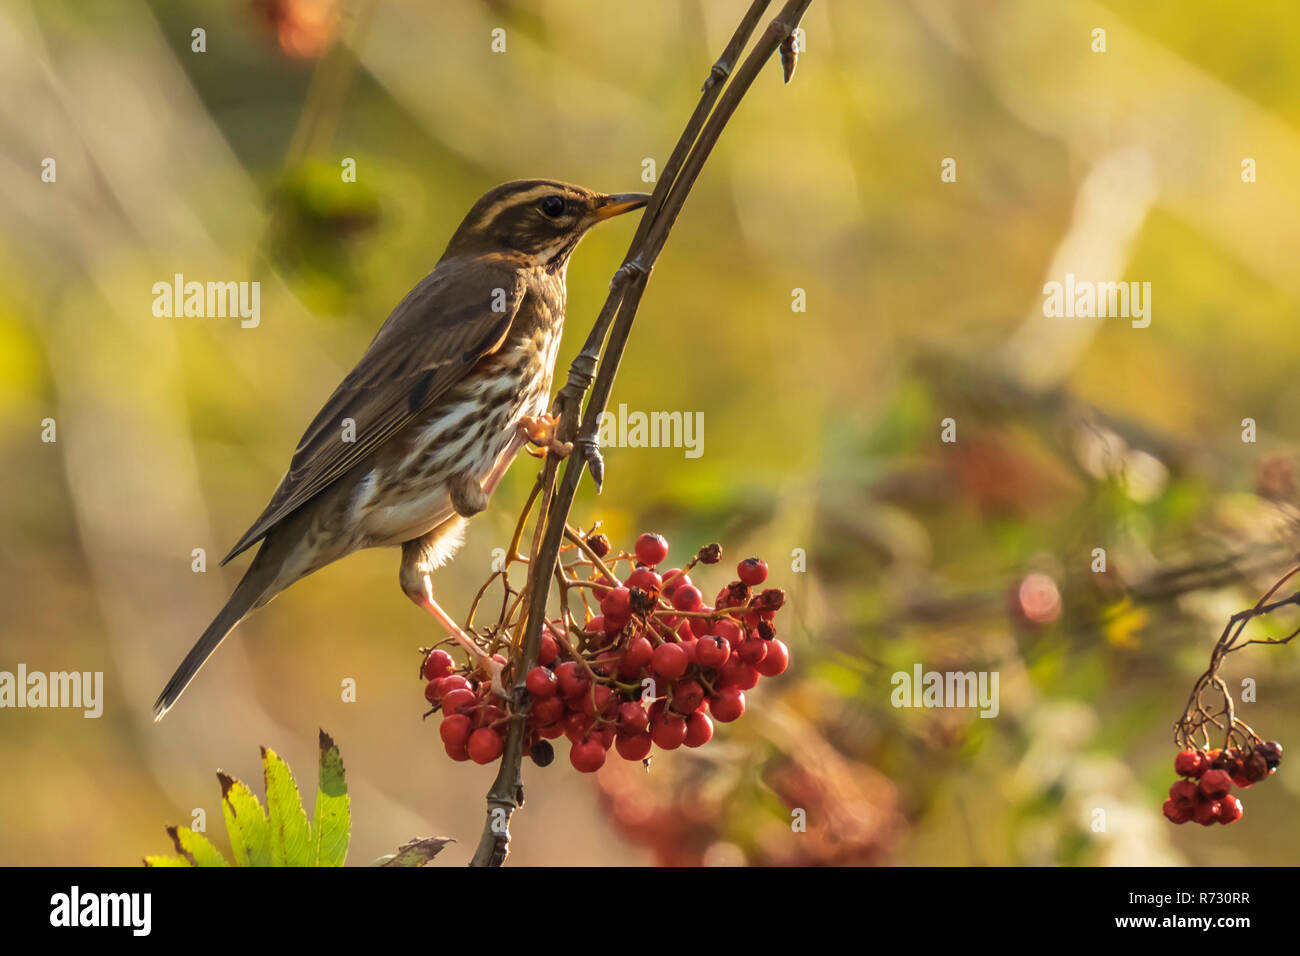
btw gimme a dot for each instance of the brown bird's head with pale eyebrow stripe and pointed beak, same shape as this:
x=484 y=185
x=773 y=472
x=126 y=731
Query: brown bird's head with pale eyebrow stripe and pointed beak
x=540 y=219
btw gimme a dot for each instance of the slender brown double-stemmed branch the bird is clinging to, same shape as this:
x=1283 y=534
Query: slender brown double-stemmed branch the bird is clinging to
x=716 y=109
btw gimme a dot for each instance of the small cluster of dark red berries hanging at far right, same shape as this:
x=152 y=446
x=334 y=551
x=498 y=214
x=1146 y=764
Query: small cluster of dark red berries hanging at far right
x=1204 y=794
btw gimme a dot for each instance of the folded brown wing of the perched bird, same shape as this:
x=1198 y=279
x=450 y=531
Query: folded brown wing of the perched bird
x=435 y=336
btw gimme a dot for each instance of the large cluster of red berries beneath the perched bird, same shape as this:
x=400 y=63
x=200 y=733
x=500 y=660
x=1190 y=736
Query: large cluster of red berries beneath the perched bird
x=652 y=665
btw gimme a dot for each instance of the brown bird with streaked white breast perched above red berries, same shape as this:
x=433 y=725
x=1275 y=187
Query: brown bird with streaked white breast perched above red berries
x=421 y=432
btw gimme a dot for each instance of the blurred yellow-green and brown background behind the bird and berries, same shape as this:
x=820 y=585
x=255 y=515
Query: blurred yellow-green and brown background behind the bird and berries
x=822 y=447
